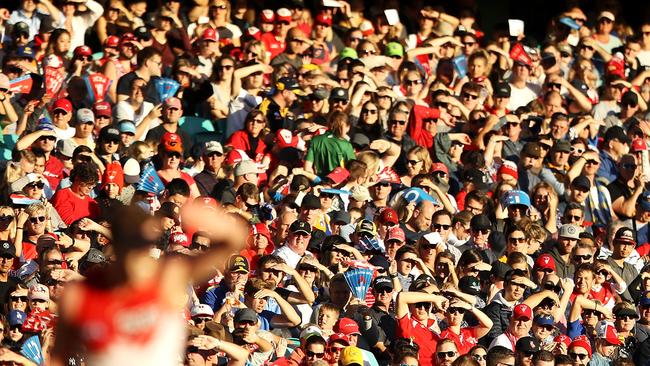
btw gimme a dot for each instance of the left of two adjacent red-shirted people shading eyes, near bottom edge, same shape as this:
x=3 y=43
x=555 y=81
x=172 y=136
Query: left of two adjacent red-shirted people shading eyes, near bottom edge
x=414 y=320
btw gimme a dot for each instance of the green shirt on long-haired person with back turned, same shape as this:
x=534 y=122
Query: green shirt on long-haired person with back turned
x=327 y=152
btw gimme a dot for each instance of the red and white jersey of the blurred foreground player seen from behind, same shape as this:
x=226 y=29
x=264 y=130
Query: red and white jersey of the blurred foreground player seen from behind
x=129 y=327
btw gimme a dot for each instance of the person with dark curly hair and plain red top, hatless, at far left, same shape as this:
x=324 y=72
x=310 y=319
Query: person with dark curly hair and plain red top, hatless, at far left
x=74 y=203
